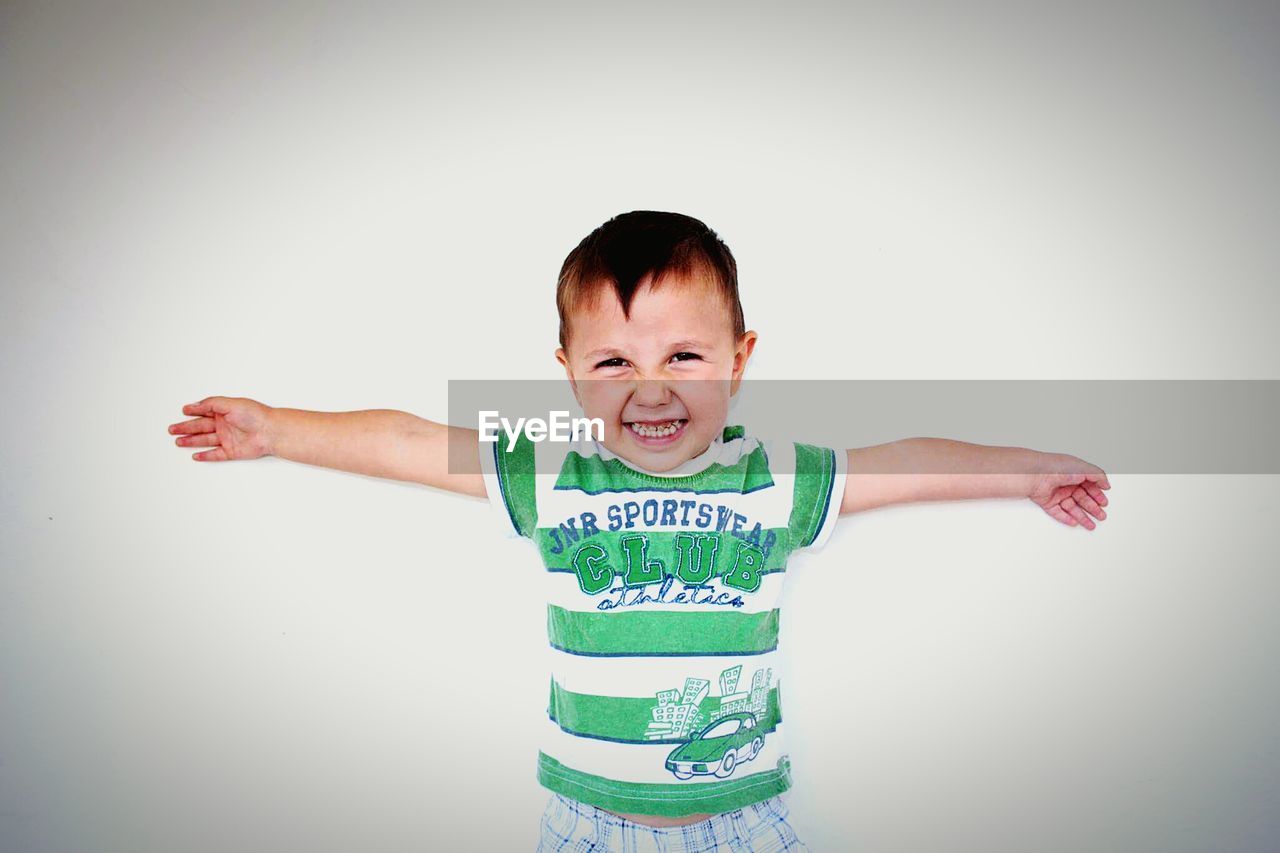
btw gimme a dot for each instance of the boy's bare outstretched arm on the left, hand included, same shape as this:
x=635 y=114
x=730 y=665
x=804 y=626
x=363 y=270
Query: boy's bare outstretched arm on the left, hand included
x=378 y=443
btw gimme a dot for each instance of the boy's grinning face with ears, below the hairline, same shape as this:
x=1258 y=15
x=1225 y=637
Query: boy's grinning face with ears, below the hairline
x=662 y=380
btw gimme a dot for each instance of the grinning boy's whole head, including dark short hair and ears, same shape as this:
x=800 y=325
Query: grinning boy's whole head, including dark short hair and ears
x=652 y=335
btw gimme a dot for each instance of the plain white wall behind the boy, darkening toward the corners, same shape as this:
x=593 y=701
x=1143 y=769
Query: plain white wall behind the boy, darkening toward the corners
x=342 y=208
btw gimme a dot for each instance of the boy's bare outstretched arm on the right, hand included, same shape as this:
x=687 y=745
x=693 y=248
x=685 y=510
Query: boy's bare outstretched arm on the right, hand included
x=939 y=469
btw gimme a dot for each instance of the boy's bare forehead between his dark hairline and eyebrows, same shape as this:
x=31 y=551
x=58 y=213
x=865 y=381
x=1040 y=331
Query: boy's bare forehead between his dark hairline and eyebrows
x=679 y=309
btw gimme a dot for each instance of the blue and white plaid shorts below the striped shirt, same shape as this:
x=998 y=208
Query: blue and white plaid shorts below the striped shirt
x=578 y=828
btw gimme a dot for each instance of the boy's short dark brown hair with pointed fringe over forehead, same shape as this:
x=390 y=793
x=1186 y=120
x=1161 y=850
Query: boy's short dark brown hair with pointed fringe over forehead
x=633 y=245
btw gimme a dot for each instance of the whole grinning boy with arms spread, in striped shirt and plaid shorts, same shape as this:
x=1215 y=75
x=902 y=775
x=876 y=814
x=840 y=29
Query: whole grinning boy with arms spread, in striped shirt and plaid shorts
x=665 y=541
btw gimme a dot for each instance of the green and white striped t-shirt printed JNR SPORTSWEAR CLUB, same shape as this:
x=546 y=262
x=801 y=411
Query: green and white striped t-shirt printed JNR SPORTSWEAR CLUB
x=662 y=613
